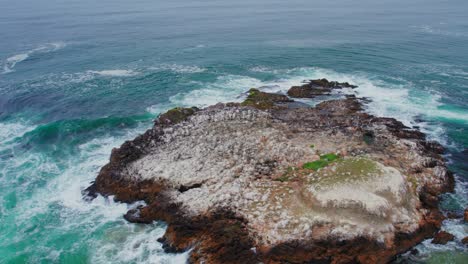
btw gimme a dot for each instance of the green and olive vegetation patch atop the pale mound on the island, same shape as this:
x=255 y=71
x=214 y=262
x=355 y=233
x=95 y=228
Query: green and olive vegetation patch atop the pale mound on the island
x=350 y=170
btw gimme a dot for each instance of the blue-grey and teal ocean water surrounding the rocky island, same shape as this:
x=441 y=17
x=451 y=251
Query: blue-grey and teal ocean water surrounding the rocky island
x=79 y=77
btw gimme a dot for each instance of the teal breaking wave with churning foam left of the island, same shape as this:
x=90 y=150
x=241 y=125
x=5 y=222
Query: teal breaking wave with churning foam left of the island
x=50 y=200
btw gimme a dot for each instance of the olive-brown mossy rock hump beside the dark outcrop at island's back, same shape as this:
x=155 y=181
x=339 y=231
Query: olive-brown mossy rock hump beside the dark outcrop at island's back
x=264 y=101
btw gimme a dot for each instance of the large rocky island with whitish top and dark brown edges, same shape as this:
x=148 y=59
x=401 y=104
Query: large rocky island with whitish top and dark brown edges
x=270 y=180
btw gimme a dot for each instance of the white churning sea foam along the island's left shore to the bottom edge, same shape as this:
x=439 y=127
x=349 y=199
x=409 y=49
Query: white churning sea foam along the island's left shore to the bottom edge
x=120 y=242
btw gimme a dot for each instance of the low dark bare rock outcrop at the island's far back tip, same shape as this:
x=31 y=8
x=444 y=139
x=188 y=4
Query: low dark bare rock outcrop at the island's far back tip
x=316 y=88
